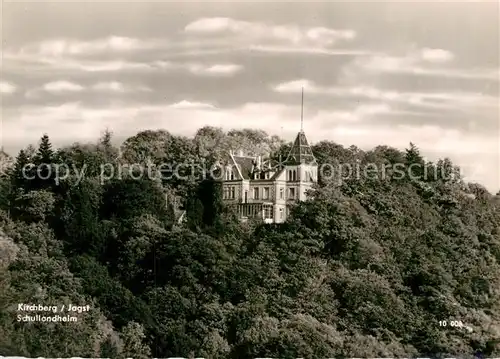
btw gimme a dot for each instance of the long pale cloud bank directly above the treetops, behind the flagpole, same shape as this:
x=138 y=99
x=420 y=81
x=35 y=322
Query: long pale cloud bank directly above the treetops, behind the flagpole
x=77 y=122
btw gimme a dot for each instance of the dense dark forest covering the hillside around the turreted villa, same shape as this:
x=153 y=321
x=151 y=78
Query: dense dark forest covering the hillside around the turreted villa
x=368 y=267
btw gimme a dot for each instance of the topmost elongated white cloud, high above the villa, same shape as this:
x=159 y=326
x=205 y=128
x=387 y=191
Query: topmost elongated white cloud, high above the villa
x=255 y=32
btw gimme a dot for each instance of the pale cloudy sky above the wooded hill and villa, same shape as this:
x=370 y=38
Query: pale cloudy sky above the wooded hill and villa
x=373 y=72
